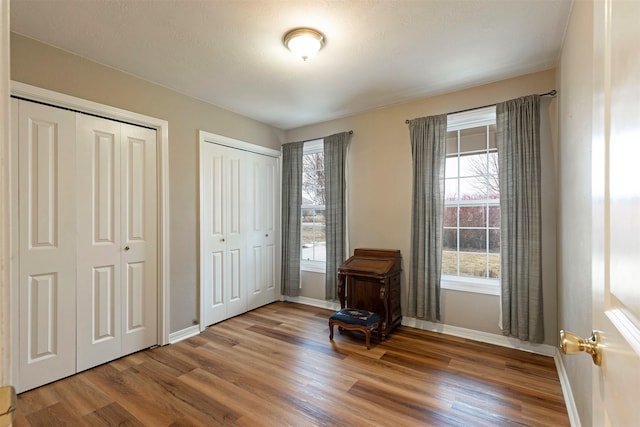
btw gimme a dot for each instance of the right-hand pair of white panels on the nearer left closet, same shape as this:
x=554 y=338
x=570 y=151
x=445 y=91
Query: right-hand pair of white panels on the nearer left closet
x=117 y=240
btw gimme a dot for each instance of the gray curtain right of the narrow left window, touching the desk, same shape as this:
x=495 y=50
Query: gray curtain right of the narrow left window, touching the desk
x=335 y=162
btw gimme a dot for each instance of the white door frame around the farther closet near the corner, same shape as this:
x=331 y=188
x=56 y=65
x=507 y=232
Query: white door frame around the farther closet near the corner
x=205 y=137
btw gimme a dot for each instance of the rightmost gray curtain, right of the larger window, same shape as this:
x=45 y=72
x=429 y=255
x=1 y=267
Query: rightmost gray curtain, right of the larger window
x=518 y=138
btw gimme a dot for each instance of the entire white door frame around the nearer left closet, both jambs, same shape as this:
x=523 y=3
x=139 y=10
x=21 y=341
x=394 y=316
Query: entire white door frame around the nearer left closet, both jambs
x=57 y=99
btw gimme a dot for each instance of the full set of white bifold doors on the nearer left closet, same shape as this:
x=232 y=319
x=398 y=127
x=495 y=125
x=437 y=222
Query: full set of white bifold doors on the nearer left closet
x=86 y=236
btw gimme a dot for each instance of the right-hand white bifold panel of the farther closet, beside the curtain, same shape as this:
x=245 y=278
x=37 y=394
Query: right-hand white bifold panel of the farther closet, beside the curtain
x=262 y=237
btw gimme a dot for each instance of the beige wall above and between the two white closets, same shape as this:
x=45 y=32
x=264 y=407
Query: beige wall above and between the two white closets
x=46 y=67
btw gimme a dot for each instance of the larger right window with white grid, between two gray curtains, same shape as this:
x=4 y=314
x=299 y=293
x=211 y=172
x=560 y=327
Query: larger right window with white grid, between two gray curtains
x=471 y=237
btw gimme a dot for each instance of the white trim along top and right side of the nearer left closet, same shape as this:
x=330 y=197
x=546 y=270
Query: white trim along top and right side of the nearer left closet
x=162 y=135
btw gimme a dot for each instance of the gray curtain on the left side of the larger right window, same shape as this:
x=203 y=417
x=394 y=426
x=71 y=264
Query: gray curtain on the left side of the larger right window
x=428 y=150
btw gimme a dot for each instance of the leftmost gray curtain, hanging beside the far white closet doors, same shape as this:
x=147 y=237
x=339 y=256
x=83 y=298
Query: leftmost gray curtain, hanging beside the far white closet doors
x=291 y=217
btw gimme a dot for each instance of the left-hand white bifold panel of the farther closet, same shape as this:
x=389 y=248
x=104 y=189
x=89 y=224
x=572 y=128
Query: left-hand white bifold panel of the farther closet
x=223 y=211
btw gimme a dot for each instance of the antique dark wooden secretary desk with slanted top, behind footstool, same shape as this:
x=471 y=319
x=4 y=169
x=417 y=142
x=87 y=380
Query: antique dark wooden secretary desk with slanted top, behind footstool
x=371 y=281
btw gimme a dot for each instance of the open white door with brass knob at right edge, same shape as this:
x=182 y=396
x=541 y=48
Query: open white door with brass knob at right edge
x=616 y=211
